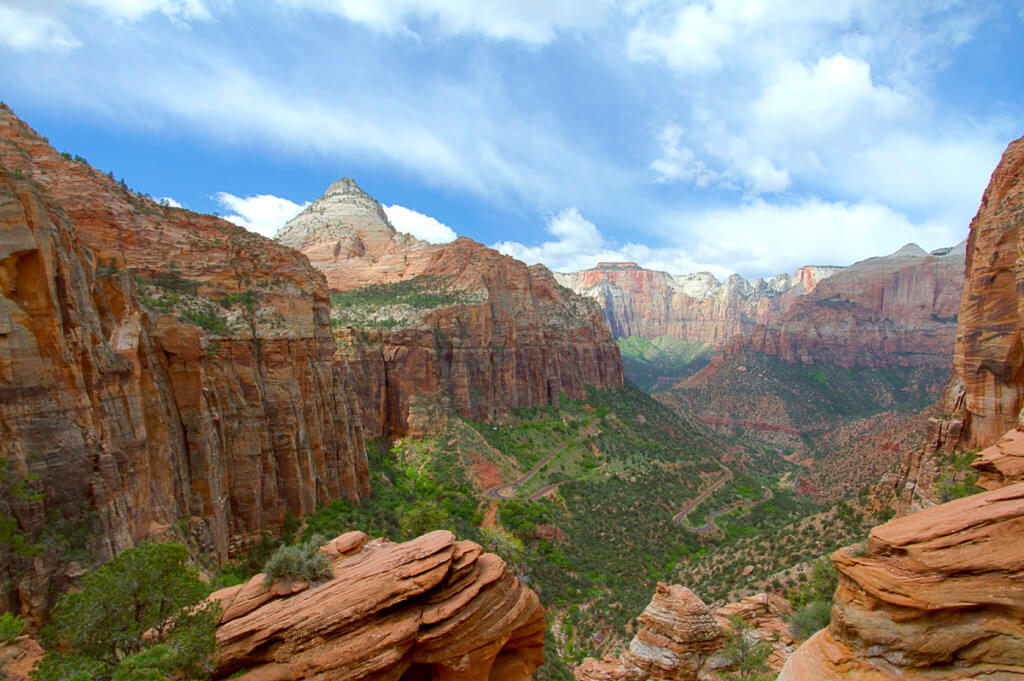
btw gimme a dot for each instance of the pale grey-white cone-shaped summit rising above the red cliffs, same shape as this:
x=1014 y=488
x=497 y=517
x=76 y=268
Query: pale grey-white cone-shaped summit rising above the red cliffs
x=346 y=212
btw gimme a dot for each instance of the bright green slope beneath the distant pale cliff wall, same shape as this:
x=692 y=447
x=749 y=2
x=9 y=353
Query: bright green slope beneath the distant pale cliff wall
x=662 y=363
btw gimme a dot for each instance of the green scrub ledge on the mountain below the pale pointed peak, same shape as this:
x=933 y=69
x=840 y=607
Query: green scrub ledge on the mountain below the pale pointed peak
x=389 y=306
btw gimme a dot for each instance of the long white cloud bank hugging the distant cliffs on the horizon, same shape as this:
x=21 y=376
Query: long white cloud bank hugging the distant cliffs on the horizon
x=756 y=239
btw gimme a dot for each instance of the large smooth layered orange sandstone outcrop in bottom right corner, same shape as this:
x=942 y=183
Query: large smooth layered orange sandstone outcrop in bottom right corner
x=937 y=595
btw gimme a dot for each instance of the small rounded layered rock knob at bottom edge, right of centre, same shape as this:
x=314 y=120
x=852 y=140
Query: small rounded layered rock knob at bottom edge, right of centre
x=678 y=635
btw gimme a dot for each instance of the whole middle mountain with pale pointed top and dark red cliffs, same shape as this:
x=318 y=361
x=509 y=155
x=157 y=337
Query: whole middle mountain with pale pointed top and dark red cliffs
x=459 y=321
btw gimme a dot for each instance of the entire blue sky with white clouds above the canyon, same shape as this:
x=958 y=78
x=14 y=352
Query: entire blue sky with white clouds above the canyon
x=750 y=137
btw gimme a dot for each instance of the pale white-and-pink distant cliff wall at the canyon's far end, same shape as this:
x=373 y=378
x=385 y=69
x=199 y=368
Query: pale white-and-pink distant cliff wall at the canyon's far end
x=697 y=308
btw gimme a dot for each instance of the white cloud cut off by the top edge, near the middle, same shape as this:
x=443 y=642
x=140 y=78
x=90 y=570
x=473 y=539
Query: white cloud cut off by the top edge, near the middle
x=536 y=22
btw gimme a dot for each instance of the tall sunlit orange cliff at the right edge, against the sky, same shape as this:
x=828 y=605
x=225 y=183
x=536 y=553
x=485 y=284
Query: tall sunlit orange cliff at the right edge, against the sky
x=990 y=358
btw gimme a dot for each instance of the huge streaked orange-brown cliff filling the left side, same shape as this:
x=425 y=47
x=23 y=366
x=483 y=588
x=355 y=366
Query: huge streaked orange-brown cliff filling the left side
x=163 y=373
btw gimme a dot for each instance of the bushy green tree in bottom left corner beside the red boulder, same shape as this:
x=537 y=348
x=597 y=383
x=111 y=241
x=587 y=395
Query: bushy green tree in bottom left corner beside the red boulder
x=143 y=612
